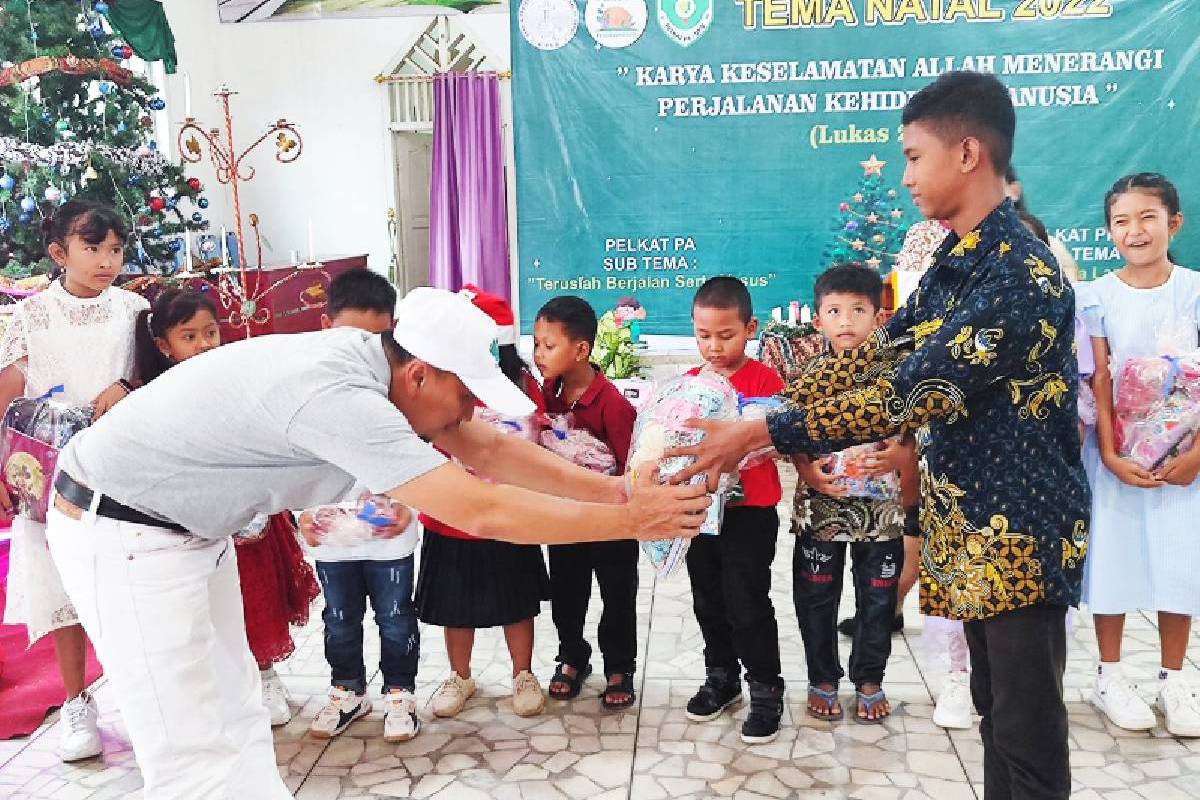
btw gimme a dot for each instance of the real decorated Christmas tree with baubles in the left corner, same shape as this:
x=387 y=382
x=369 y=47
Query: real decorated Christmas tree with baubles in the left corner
x=76 y=122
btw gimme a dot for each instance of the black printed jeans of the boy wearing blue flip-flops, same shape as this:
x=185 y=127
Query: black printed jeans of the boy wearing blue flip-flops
x=818 y=569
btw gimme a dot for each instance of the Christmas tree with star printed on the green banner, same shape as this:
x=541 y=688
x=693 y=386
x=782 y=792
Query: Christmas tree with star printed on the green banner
x=872 y=225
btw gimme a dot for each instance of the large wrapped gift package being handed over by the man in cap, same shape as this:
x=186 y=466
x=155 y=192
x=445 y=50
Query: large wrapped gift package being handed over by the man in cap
x=662 y=425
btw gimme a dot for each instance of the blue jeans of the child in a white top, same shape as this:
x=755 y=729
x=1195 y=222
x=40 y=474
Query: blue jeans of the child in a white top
x=389 y=585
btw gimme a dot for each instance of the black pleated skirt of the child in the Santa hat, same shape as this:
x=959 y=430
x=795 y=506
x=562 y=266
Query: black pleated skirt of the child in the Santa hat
x=479 y=582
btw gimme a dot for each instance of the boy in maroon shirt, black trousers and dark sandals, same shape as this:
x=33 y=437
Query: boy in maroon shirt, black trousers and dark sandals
x=563 y=335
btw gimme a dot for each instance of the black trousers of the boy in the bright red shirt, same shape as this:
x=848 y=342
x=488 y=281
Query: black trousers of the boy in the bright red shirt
x=731 y=594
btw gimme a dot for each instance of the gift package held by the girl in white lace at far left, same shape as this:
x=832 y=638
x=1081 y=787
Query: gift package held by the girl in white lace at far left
x=35 y=430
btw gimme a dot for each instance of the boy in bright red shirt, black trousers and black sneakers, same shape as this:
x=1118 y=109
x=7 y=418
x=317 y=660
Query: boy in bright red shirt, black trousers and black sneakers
x=731 y=573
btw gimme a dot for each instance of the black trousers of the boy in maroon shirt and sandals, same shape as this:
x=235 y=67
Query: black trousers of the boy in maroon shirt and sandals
x=571 y=587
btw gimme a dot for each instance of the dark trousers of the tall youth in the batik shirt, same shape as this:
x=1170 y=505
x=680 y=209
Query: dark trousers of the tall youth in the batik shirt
x=1018 y=660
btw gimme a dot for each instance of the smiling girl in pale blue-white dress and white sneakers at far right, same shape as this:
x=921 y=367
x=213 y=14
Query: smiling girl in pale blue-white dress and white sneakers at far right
x=1144 y=551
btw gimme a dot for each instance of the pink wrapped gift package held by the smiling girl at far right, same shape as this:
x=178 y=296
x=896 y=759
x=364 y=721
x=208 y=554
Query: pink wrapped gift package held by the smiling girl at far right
x=1157 y=407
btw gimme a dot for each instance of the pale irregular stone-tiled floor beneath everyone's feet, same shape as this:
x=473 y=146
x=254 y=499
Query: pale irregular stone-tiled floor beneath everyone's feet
x=652 y=751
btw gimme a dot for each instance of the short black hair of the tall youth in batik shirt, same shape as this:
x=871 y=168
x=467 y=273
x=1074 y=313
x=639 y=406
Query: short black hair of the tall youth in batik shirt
x=963 y=105
